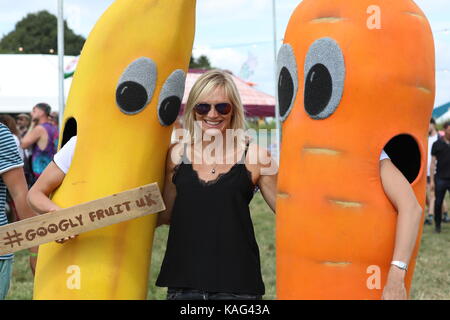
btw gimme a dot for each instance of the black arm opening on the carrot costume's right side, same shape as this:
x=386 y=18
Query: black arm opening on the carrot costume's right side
x=404 y=153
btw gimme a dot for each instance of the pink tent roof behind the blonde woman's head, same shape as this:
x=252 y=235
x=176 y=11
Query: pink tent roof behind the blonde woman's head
x=256 y=103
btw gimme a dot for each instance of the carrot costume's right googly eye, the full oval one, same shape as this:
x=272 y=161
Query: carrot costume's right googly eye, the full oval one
x=324 y=78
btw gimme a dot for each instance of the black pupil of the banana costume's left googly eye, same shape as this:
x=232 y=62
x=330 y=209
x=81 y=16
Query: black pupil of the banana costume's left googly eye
x=131 y=97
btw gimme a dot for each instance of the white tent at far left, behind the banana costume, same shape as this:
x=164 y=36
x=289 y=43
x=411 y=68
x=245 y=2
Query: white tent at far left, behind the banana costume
x=27 y=79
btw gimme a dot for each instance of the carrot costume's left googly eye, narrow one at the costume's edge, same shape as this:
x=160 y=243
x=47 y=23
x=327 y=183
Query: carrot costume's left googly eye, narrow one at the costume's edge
x=287 y=80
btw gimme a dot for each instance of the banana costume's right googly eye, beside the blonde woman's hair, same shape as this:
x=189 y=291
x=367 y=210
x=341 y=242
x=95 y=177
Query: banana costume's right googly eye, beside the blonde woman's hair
x=170 y=98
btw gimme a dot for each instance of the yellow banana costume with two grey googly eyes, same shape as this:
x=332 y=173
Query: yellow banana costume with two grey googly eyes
x=125 y=95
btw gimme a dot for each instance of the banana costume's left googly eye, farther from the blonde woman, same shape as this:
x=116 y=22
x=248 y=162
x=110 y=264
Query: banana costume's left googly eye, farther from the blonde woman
x=136 y=86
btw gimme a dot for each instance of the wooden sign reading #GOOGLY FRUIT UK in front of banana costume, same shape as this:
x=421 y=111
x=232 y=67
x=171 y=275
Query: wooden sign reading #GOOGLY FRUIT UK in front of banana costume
x=81 y=218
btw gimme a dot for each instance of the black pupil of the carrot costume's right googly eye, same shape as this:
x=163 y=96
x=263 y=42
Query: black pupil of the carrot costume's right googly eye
x=318 y=89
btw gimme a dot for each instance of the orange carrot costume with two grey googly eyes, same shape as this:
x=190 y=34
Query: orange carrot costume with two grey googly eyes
x=355 y=77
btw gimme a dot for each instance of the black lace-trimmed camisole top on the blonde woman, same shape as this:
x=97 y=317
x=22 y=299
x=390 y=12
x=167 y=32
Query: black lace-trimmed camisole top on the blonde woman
x=211 y=244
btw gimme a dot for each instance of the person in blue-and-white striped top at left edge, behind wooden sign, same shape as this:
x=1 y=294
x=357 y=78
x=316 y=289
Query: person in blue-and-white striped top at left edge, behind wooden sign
x=13 y=179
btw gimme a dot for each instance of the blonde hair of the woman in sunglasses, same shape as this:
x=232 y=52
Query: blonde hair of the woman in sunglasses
x=206 y=84
